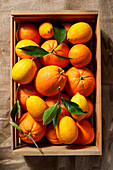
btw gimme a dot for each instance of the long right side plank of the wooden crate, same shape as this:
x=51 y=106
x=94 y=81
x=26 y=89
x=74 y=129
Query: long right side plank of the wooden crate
x=98 y=86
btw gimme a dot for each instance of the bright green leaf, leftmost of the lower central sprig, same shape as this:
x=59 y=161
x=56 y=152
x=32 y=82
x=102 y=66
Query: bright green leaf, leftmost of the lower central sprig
x=49 y=114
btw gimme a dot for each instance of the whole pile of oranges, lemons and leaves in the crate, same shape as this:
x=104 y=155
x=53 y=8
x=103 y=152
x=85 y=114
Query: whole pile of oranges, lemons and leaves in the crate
x=54 y=83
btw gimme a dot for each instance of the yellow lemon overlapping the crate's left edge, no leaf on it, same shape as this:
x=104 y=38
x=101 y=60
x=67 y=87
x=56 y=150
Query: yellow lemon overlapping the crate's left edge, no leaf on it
x=24 y=71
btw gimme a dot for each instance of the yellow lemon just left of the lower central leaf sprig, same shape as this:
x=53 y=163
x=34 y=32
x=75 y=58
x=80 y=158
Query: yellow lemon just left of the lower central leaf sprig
x=36 y=107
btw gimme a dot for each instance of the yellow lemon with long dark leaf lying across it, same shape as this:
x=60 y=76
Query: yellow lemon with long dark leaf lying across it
x=24 y=43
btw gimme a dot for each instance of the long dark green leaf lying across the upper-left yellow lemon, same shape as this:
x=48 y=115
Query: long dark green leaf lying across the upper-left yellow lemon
x=34 y=51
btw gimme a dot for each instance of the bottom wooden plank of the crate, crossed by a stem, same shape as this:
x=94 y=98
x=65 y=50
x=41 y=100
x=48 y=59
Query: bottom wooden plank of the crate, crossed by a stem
x=57 y=150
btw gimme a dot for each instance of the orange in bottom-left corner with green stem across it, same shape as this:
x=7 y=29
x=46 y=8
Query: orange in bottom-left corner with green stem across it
x=28 y=124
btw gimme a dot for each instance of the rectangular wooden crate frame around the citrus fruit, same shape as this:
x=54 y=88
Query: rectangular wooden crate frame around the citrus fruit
x=93 y=18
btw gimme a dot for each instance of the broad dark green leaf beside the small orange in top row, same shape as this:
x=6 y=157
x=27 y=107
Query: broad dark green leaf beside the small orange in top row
x=59 y=33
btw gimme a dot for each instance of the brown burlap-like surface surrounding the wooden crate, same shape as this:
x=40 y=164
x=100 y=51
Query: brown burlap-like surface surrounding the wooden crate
x=104 y=162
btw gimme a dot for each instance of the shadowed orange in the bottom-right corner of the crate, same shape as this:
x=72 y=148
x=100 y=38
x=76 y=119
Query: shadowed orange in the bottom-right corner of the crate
x=86 y=133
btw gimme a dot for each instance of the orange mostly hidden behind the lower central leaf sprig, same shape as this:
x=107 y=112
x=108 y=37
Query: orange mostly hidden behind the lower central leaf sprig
x=50 y=101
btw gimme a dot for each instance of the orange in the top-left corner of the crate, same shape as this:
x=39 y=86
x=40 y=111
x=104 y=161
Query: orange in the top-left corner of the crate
x=28 y=31
